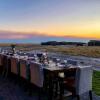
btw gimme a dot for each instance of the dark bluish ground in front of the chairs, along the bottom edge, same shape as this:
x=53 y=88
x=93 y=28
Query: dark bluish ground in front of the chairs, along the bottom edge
x=11 y=91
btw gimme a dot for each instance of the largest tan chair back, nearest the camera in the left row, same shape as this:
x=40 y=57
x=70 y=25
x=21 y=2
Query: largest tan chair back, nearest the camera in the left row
x=36 y=74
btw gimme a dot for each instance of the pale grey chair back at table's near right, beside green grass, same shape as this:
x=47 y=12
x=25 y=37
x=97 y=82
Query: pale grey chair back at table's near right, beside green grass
x=83 y=82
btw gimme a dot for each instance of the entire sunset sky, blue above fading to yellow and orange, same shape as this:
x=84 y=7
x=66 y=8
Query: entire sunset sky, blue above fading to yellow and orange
x=44 y=20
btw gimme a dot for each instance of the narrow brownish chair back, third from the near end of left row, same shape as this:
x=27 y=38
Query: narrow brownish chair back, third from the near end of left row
x=14 y=67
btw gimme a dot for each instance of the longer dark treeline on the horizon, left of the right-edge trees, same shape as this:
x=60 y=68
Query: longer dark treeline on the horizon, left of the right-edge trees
x=54 y=43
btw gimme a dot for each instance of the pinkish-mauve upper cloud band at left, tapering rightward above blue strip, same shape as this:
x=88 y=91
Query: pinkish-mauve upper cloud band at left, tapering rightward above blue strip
x=22 y=35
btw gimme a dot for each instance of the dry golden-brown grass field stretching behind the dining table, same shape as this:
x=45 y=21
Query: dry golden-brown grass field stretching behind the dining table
x=89 y=51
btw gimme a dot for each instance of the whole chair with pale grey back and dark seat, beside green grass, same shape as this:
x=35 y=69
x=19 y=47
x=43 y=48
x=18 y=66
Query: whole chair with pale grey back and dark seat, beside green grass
x=82 y=83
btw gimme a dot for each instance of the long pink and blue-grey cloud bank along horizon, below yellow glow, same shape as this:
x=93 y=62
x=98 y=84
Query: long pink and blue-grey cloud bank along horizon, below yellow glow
x=36 y=37
